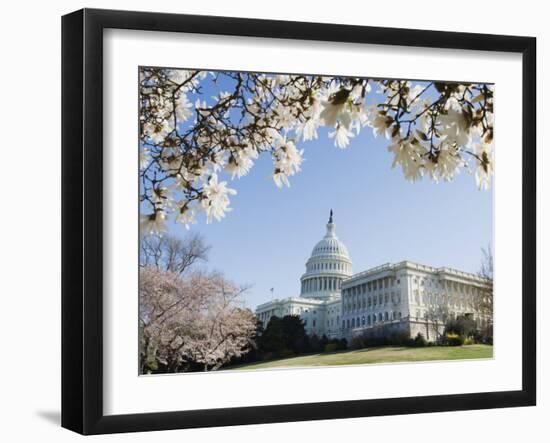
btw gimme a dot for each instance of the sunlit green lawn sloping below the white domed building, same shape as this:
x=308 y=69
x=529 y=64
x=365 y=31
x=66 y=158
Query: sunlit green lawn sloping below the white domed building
x=388 y=354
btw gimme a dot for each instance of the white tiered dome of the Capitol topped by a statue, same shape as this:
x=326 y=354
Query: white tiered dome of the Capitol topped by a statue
x=327 y=266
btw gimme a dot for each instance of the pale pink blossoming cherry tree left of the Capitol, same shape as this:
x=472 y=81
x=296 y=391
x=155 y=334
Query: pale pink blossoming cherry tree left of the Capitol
x=196 y=319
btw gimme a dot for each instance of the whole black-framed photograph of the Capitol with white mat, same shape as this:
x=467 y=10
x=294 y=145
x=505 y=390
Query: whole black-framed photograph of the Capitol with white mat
x=269 y=221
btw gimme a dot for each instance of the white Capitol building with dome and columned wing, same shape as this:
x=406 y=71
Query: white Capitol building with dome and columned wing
x=405 y=296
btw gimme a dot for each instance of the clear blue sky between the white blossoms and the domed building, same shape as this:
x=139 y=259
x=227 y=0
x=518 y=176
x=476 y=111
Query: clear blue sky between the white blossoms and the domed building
x=267 y=238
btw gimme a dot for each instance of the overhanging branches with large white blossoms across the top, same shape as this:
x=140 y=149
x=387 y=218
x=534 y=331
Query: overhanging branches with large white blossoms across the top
x=197 y=125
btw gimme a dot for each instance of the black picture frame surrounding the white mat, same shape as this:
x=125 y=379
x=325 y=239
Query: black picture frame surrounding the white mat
x=82 y=219
